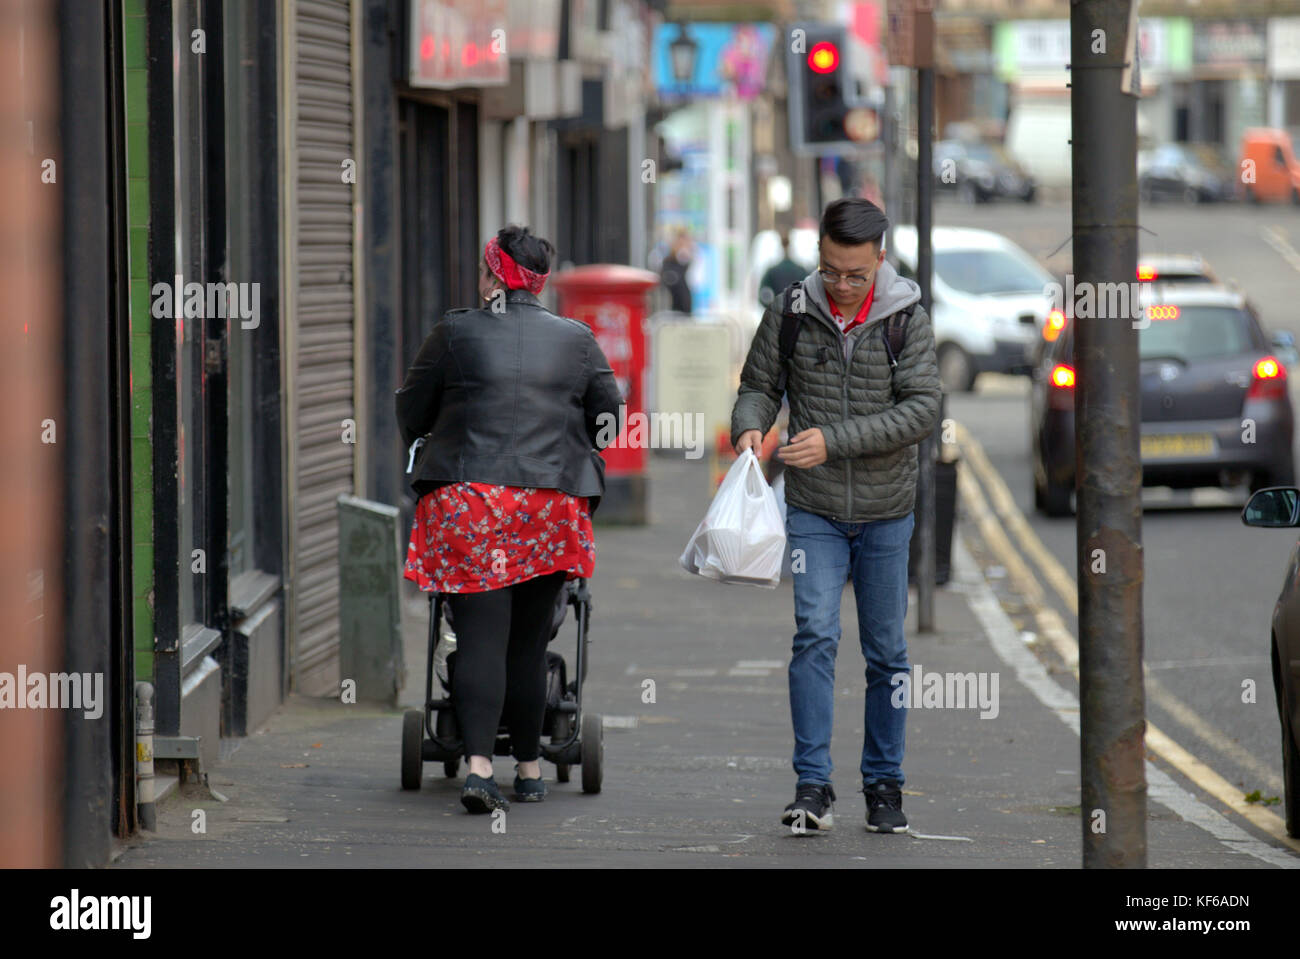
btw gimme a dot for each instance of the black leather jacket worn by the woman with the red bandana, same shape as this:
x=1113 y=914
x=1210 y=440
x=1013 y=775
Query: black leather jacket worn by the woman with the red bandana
x=509 y=398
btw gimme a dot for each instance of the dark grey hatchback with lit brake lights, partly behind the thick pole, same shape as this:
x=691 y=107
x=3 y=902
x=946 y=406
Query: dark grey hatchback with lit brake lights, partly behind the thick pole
x=1206 y=368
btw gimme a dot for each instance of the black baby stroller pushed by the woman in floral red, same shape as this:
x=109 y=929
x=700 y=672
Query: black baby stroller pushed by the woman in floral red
x=577 y=737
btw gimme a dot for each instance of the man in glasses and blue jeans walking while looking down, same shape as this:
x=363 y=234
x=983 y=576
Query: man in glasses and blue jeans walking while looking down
x=863 y=396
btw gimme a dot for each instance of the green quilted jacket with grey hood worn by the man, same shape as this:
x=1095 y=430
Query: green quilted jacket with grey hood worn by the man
x=872 y=420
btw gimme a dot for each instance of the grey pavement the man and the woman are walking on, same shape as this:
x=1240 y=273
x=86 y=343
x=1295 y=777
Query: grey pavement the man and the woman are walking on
x=700 y=776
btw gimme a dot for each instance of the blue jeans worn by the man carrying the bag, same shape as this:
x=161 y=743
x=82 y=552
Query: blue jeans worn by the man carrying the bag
x=874 y=556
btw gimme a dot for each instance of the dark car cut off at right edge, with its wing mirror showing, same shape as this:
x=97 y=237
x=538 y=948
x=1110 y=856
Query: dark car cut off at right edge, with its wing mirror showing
x=1281 y=509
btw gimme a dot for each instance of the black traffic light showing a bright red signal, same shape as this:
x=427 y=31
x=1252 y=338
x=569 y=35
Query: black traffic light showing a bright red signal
x=817 y=88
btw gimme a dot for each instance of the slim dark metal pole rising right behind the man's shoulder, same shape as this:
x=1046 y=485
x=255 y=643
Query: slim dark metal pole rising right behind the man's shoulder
x=925 y=268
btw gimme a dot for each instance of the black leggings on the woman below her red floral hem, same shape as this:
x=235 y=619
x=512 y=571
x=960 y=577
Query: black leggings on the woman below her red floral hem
x=501 y=663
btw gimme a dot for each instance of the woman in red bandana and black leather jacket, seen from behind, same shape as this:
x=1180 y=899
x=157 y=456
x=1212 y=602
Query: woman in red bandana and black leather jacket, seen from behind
x=509 y=400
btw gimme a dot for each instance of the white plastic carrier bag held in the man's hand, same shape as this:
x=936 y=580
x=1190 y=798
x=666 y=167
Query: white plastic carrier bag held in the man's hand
x=742 y=539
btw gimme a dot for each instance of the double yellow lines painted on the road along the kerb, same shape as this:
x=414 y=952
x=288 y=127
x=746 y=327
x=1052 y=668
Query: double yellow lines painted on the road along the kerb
x=996 y=517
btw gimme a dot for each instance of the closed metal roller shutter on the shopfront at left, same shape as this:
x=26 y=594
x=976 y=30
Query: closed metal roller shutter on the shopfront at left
x=323 y=381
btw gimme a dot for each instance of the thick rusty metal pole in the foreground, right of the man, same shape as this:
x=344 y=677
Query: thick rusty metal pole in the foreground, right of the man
x=1107 y=444
